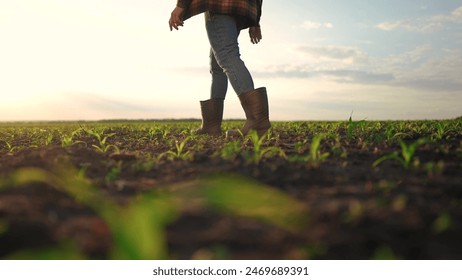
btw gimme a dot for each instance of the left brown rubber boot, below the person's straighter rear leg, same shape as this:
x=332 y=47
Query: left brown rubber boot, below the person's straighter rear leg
x=212 y=116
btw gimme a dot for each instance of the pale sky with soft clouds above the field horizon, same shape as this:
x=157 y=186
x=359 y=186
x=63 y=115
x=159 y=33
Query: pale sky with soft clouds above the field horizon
x=320 y=60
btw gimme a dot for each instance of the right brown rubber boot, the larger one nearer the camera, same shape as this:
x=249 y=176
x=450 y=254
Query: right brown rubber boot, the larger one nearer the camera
x=255 y=105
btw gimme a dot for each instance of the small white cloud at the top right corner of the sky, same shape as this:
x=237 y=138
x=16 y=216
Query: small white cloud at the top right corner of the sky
x=424 y=25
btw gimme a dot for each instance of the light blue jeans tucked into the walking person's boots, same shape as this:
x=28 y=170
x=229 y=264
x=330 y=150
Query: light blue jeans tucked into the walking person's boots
x=225 y=59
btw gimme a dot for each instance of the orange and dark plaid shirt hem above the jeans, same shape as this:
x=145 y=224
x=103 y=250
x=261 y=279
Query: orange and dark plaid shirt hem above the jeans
x=249 y=9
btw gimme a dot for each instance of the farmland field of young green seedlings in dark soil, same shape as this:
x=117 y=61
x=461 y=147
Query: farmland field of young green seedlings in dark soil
x=307 y=190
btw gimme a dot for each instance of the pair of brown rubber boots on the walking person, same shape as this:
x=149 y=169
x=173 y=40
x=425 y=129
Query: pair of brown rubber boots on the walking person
x=255 y=105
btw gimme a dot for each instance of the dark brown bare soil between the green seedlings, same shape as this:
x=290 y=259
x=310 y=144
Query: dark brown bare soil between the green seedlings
x=355 y=211
